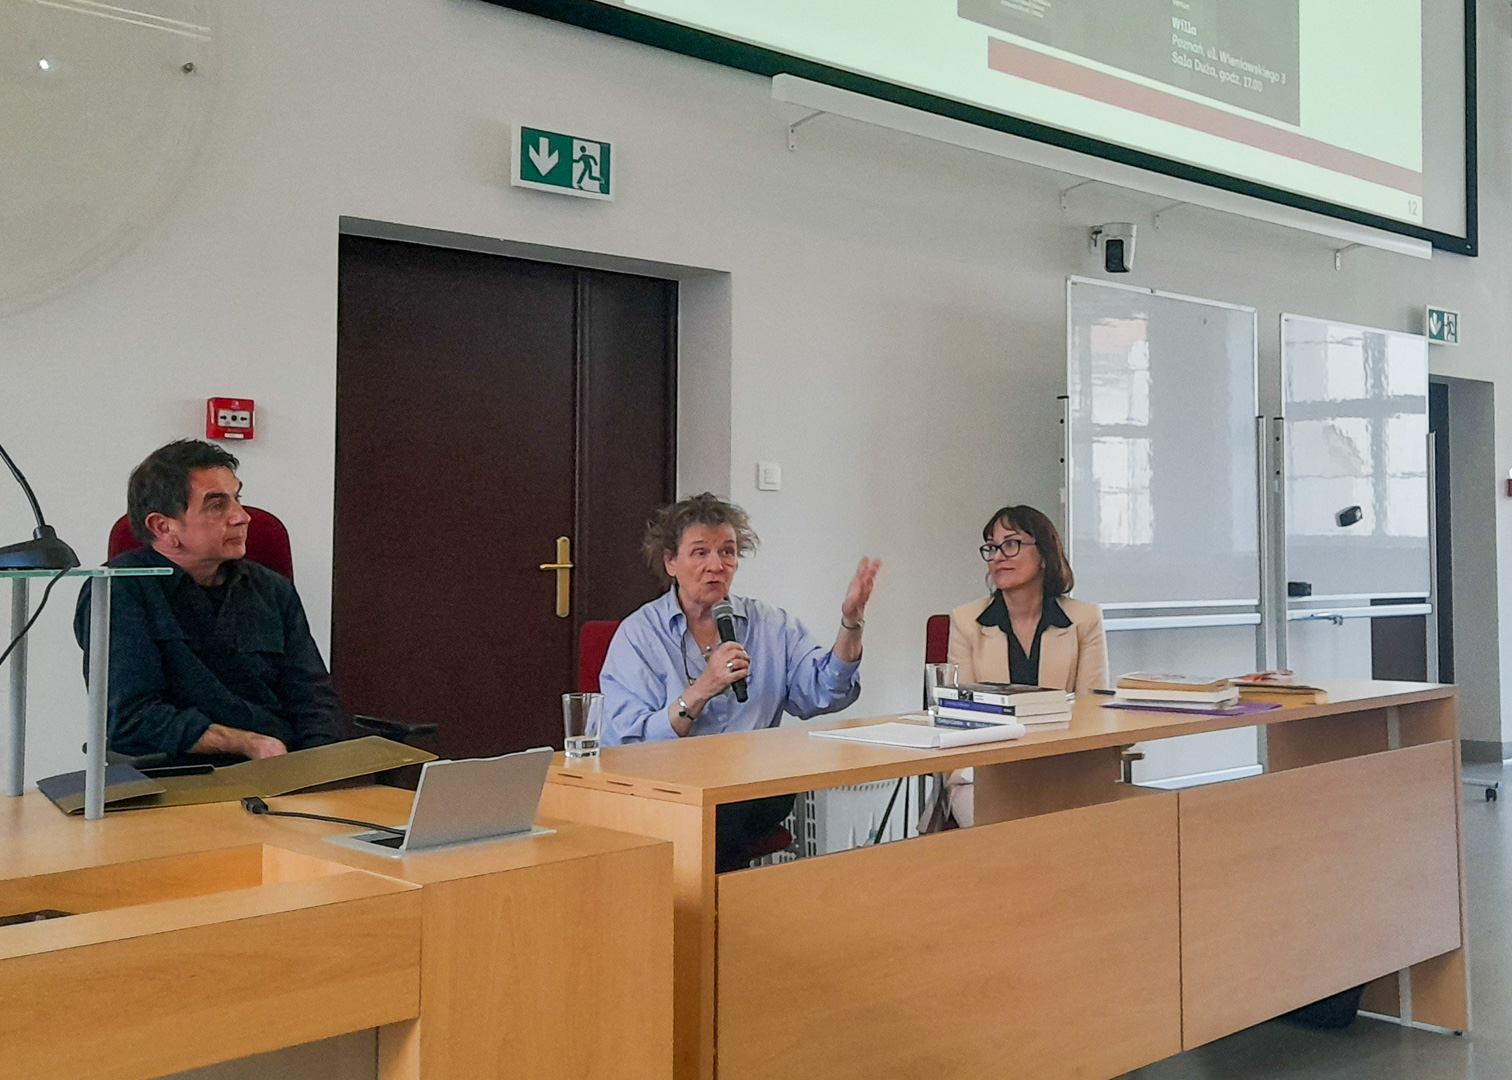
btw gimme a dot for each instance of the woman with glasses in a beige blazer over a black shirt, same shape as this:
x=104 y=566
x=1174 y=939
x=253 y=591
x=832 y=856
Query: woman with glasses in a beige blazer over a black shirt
x=1027 y=632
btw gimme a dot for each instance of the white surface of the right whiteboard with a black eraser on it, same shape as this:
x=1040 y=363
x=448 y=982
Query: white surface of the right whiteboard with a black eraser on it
x=1356 y=408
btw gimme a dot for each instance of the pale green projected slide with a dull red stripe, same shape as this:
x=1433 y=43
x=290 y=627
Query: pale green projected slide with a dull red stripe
x=1318 y=98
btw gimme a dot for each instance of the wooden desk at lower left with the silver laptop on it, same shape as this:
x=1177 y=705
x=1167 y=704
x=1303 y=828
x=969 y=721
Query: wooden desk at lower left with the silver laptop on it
x=208 y=934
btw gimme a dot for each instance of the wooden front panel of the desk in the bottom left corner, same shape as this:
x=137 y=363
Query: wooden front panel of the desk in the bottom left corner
x=232 y=984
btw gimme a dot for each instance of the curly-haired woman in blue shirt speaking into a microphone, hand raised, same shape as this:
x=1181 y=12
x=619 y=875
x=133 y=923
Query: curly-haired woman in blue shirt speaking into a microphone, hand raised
x=669 y=675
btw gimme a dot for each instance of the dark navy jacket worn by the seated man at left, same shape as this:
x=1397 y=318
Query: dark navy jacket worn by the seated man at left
x=178 y=665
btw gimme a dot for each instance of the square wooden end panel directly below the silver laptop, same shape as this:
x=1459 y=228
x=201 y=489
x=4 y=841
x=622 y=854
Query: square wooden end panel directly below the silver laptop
x=560 y=975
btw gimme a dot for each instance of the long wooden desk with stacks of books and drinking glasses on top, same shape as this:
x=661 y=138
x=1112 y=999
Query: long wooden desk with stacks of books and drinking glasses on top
x=1083 y=928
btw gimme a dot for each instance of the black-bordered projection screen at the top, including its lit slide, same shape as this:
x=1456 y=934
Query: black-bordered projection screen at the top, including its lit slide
x=1362 y=110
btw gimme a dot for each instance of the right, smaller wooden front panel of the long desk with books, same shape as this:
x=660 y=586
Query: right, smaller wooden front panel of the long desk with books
x=1301 y=884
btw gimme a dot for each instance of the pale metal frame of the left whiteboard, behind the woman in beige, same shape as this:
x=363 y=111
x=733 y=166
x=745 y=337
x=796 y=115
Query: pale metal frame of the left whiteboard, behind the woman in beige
x=1170 y=619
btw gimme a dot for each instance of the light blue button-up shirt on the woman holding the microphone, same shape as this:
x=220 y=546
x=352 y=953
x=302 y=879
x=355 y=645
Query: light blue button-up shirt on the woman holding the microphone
x=654 y=660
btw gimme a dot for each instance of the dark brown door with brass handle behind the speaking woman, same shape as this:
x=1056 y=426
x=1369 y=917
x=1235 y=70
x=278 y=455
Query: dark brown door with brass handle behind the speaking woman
x=486 y=408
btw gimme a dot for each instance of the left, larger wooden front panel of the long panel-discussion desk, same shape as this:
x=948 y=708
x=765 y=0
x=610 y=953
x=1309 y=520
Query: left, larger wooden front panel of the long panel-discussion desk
x=1038 y=949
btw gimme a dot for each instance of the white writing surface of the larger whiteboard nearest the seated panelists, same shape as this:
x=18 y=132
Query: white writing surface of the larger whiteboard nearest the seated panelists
x=1162 y=448
